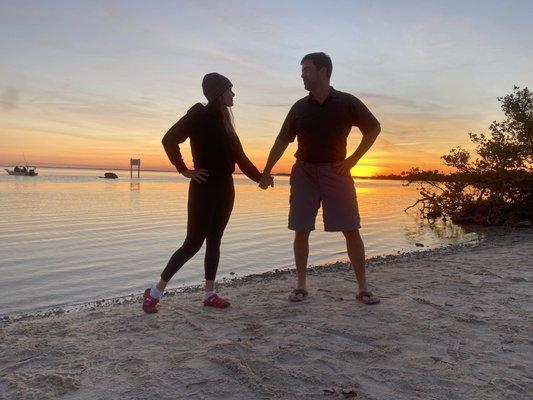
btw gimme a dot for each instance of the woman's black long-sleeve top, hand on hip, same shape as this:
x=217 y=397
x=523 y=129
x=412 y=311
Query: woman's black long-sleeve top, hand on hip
x=213 y=148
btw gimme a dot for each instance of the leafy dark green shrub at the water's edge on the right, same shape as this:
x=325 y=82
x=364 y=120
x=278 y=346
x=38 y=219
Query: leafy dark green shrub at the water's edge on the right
x=496 y=187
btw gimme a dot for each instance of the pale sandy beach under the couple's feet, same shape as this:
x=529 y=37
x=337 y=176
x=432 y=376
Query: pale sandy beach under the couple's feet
x=454 y=323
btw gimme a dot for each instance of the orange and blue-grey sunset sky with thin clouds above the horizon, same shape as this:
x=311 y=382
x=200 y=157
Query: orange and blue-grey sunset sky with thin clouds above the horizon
x=93 y=83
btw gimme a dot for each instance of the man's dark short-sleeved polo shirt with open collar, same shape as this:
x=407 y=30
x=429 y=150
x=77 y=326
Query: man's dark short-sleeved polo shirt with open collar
x=322 y=129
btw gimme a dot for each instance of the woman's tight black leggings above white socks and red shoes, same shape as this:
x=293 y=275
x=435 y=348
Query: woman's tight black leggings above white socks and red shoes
x=209 y=208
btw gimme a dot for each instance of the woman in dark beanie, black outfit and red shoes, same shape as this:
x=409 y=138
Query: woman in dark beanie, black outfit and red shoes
x=215 y=149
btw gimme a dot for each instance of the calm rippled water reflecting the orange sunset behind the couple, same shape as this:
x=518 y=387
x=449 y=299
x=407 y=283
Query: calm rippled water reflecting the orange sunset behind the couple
x=68 y=237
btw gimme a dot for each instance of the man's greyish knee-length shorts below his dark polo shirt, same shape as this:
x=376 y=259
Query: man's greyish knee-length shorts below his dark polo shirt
x=313 y=185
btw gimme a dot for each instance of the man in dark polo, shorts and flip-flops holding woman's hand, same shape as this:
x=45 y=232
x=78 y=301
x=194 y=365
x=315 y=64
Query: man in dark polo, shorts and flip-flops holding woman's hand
x=321 y=175
